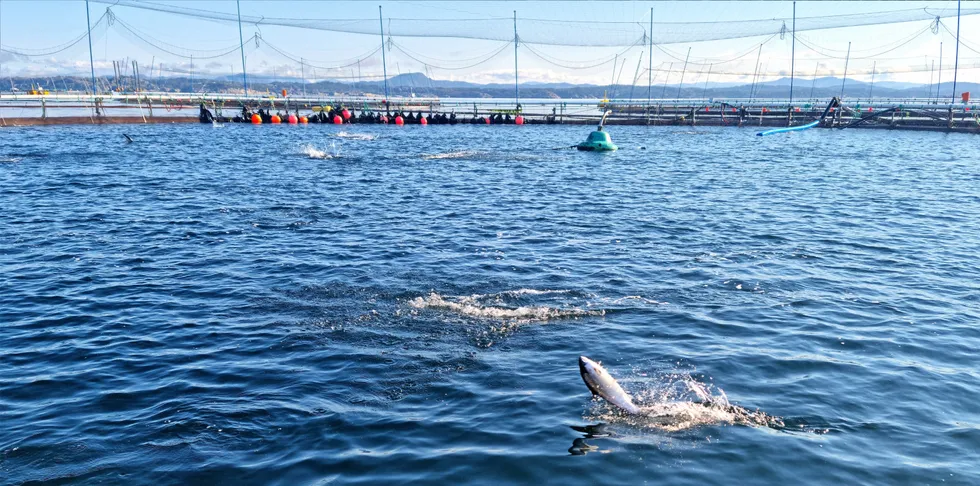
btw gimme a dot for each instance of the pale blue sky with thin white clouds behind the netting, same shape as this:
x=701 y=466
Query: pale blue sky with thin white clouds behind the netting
x=164 y=43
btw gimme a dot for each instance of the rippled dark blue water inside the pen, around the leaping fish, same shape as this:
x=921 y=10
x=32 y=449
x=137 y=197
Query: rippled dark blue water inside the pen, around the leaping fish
x=364 y=304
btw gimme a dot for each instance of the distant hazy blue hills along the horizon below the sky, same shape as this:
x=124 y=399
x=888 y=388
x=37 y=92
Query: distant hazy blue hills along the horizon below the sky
x=418 y=84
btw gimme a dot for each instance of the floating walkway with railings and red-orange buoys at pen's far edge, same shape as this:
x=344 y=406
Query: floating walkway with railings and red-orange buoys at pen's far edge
x=902 y=114
